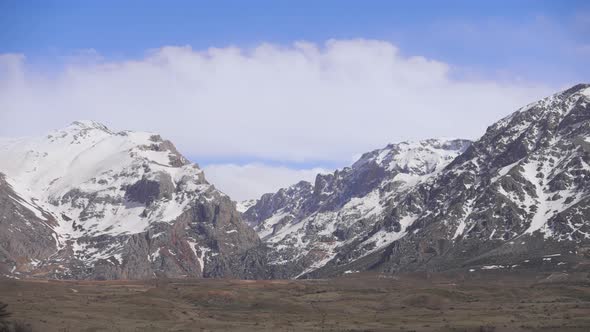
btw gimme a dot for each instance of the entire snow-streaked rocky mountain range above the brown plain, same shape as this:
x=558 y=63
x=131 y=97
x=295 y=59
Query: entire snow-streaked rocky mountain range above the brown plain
x=88 y=203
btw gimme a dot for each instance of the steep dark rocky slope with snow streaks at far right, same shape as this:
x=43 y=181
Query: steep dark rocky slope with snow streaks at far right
x=519 y=196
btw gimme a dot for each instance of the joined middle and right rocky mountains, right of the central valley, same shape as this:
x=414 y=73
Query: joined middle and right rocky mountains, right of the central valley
x=516 y=198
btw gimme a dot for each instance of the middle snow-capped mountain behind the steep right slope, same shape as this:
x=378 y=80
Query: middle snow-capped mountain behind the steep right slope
x=306 y=225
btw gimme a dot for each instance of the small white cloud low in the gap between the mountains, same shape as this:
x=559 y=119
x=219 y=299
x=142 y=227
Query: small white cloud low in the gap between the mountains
x=249 y=181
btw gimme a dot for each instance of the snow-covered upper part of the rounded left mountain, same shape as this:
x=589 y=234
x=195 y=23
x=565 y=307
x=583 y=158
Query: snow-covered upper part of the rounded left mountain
x=86 y=171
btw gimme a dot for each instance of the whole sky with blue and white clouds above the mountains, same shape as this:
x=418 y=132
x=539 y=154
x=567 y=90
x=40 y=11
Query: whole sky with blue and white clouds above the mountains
x=262 y=94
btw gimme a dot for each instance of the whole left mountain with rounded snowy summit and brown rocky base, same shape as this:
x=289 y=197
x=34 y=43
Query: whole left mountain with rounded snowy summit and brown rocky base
x=89 y=203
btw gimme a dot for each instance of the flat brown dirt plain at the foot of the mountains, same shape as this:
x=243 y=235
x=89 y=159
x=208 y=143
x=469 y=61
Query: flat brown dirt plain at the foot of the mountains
x=479 y=301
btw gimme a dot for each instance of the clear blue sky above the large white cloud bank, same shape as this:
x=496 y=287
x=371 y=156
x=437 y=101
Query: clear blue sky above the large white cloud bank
x=539 y=39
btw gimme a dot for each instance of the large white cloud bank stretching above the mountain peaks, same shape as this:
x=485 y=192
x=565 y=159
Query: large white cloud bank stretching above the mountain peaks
x=300 y=102
